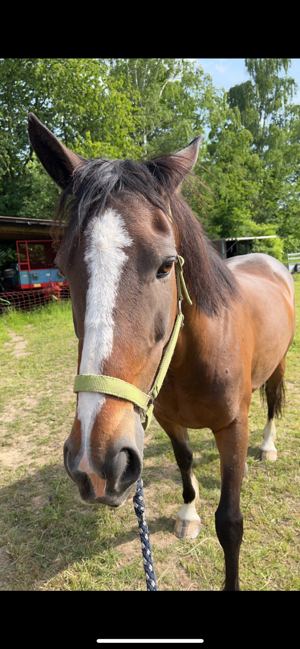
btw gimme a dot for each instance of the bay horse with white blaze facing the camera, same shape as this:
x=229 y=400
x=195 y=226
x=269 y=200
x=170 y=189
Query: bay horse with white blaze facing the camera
x=127 y=227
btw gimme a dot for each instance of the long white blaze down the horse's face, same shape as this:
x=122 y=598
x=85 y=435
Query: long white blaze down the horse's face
x=105 y=237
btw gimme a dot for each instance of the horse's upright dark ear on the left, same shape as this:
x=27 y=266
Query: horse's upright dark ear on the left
x=58 y=161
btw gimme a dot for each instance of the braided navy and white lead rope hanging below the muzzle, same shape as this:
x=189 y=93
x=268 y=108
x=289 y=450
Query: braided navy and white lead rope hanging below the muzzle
x=140 y=510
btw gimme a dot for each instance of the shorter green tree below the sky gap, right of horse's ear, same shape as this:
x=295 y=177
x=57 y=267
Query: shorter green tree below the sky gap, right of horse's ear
x=233 y=173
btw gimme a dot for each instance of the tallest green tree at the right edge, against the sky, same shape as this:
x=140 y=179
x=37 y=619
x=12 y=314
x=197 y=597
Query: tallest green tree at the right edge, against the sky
x=267 y=112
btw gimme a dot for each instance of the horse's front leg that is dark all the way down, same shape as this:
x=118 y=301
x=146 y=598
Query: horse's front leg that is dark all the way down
x=232 y=443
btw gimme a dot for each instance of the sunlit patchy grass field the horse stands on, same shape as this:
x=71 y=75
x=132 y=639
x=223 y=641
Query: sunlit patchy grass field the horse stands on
x=49 y=540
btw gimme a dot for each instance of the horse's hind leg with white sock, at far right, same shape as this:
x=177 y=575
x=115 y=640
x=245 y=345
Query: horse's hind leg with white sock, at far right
x=274 y=389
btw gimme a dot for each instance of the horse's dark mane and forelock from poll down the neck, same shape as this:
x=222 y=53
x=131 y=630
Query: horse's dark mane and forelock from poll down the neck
x=210 y=282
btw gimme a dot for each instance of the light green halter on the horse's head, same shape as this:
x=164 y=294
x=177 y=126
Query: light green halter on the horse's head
x=124 y=390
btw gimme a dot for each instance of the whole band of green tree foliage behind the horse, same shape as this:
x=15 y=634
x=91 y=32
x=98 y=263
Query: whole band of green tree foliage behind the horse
x=138 y=108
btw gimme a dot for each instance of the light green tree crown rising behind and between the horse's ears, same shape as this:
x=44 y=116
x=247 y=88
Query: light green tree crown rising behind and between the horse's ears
x=174 y=97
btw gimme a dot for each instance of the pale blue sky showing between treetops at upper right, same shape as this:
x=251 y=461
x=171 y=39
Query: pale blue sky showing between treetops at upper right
x=226 y=73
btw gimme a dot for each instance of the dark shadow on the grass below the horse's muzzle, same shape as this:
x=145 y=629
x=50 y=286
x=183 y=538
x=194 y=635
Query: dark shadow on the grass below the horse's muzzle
x=45 y=529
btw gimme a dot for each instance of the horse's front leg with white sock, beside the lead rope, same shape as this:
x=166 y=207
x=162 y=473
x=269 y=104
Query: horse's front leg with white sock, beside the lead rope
x=187 y=524
